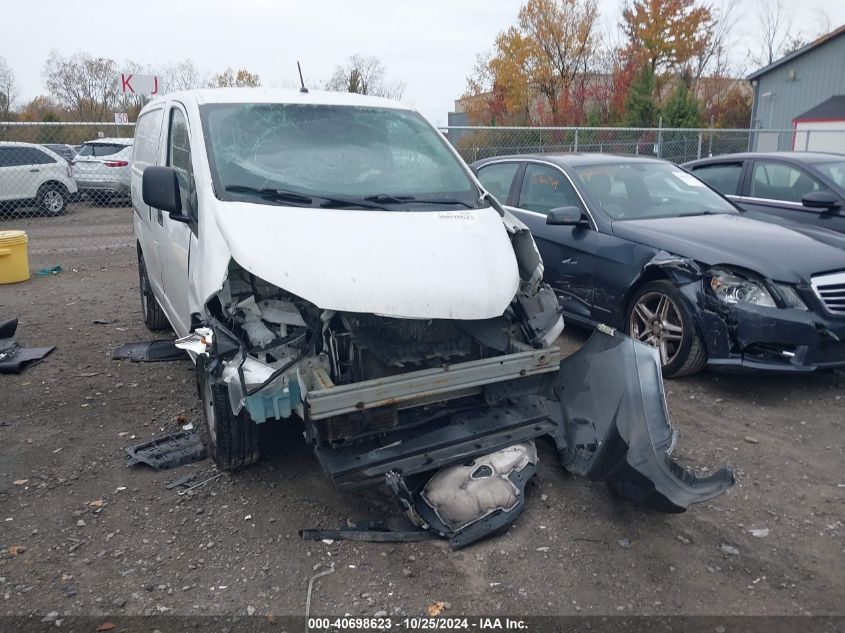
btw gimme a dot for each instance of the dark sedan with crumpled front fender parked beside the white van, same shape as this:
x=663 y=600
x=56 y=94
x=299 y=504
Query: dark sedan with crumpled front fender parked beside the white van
x=646 y=247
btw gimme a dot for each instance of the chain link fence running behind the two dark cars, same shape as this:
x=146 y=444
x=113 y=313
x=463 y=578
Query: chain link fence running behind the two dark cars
x=676 y=145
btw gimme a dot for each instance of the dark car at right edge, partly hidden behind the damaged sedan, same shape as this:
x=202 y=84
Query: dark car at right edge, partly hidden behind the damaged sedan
x=803 y=187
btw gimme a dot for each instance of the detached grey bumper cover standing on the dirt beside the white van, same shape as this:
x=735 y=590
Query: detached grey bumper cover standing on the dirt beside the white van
x=616 y=427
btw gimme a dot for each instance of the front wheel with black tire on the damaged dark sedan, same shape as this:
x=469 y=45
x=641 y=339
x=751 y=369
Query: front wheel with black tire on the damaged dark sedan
x=682 y=353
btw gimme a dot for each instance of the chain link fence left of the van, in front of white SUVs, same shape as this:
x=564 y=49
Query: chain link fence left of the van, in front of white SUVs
x=67 y=186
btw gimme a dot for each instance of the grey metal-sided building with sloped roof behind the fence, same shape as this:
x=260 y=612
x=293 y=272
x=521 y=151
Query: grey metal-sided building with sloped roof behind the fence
x=793 y=85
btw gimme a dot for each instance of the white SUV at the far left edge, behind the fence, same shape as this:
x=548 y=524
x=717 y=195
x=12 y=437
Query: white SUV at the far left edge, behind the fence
x=32 y=175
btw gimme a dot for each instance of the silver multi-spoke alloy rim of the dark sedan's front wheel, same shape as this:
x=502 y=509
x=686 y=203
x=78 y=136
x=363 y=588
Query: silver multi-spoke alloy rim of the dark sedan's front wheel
x=656 y=321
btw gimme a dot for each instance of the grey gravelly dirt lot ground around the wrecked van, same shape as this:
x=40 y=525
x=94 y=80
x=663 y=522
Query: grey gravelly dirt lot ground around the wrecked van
x=143 y=549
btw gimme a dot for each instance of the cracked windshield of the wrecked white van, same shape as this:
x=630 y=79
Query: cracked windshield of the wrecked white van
x=337 y=156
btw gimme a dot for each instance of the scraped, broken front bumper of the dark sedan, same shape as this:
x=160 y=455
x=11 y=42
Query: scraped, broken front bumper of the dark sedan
x=755 y=338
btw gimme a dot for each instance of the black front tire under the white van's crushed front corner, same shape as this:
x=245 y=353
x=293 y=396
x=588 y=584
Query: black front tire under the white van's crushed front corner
x=231 y=440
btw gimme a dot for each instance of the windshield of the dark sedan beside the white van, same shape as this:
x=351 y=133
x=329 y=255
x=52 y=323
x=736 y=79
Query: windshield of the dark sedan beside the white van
x=640 y=190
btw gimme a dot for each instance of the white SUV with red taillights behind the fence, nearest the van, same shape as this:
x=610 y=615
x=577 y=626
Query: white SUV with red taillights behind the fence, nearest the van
x=101 y=168
